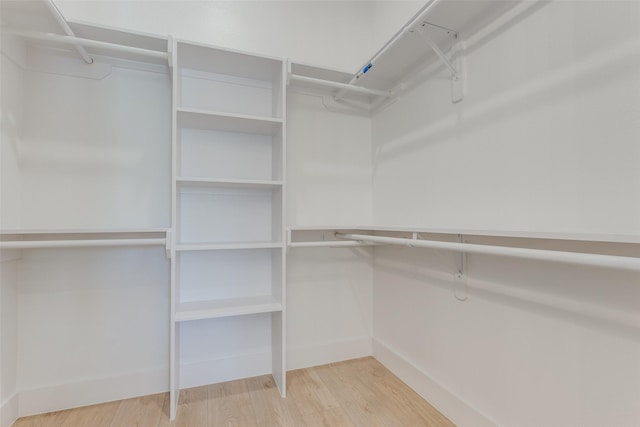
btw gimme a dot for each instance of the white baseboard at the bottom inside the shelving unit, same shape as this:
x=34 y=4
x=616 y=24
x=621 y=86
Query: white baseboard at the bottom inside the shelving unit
x=213 y=371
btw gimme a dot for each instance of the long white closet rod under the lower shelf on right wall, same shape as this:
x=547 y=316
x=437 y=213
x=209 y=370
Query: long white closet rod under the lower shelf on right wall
x=597 y=260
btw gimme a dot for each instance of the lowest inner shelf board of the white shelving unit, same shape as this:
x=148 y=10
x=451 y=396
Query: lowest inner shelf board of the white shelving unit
x=199 y=310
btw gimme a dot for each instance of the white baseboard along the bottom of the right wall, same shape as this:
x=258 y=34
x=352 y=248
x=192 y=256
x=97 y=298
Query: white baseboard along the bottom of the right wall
x=452 y=406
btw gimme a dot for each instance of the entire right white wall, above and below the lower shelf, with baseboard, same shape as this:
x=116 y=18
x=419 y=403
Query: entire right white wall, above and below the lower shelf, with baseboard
x=545 y=140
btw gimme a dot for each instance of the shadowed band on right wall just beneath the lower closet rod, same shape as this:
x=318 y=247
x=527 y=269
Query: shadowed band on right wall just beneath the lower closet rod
x=593 y=297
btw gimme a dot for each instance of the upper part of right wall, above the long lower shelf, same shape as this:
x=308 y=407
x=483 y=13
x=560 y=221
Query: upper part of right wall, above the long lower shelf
x=544 y=140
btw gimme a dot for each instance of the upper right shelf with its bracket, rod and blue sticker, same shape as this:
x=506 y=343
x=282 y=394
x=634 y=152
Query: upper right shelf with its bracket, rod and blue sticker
x=427 y=37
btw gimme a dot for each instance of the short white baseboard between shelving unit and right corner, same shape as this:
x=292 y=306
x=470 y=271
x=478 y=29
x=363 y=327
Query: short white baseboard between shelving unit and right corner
x=299 y=357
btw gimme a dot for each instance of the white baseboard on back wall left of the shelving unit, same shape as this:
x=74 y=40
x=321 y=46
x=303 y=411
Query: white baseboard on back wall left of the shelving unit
x=73 y=395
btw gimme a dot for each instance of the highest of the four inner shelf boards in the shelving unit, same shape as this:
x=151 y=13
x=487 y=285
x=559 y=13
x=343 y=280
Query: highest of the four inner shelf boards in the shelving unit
x=217 y=121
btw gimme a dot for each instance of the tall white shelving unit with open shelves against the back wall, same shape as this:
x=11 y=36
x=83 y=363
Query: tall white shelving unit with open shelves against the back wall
x=228 y=200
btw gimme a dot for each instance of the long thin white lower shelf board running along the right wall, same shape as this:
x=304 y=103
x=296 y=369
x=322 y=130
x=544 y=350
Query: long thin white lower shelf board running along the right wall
x=586 y=237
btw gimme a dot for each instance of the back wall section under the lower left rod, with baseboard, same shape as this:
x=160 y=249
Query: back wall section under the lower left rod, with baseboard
x=93 y=326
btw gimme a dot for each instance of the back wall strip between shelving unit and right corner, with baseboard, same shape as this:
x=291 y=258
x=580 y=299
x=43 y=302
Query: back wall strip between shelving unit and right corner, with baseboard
x=328 y=182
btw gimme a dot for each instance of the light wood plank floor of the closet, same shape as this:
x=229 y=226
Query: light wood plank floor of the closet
x=358 y=392
